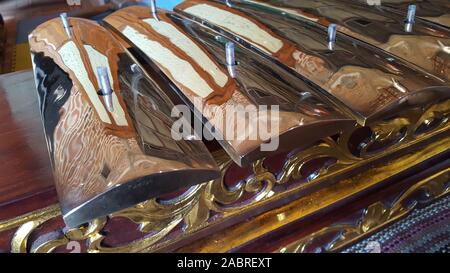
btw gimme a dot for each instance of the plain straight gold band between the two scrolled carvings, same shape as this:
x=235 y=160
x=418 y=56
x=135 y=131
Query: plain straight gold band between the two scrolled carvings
x=320 y=198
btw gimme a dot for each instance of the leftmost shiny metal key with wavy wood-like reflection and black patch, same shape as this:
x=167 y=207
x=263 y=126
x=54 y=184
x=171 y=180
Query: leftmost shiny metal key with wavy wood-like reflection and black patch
x=104 y=161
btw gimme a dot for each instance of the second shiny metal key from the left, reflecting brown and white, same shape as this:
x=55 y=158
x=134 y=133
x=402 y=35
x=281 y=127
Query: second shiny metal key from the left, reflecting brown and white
x=303 y=116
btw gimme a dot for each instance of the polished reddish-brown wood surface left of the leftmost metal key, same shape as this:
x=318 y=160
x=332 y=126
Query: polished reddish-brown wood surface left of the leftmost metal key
x=25 y=168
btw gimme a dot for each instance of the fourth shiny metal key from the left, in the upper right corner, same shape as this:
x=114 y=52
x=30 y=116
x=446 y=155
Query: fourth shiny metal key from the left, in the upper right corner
x=421 y=43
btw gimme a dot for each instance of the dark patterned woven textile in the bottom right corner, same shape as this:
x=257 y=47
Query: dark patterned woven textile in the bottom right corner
x=425 y=230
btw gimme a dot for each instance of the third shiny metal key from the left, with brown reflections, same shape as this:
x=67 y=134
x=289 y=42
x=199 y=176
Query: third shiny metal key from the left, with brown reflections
x=367 y=82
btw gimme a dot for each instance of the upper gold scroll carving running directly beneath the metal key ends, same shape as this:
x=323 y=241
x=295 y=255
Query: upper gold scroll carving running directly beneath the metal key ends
x=204 y=205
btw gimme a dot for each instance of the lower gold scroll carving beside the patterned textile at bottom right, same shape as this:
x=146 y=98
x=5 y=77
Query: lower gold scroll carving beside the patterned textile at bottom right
x=376 y=215
